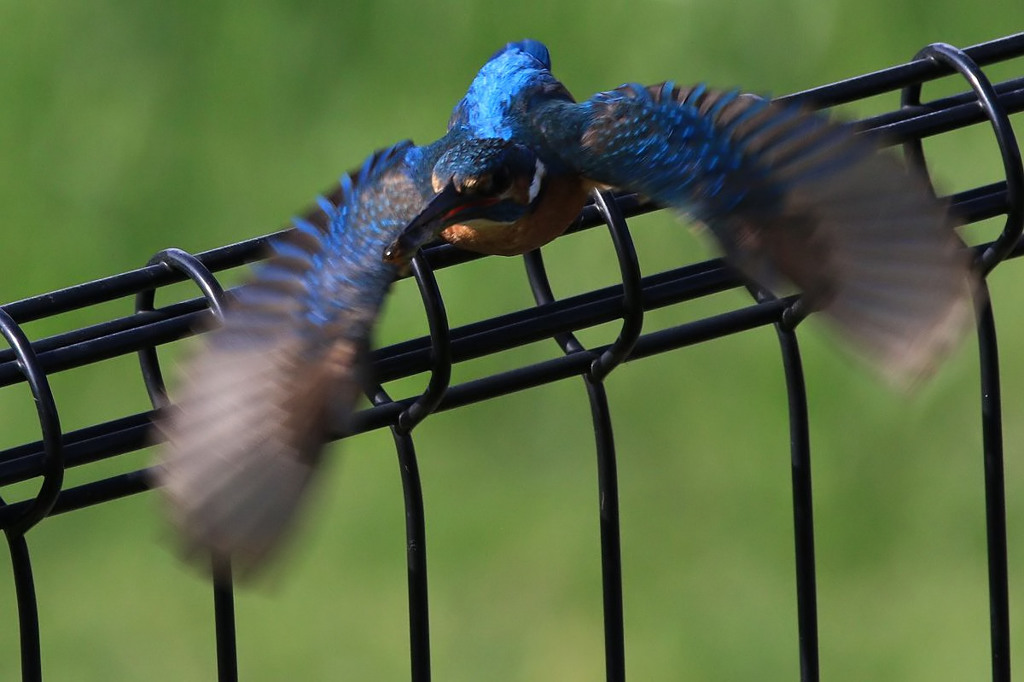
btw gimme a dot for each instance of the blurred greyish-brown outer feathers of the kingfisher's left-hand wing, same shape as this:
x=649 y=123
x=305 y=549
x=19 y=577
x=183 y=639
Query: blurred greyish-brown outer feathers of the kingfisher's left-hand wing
x=243 y=442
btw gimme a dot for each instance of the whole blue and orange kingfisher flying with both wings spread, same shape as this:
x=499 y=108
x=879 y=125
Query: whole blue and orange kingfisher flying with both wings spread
x=793 y=198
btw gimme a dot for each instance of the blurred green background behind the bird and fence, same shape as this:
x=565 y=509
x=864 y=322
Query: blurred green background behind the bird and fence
x=127 y=127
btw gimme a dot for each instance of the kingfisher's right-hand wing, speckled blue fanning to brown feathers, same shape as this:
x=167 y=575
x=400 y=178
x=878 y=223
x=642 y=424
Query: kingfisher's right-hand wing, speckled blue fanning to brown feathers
x=791 y=195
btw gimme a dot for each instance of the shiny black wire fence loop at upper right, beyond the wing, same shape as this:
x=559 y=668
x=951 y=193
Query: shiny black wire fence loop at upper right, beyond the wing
x=989 y=100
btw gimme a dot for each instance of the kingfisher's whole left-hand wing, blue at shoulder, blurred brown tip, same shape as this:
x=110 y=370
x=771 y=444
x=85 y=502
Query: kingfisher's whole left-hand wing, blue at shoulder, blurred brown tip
x=260 y=398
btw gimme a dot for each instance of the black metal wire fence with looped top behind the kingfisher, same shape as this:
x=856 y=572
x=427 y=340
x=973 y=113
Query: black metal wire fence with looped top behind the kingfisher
x=982 y=103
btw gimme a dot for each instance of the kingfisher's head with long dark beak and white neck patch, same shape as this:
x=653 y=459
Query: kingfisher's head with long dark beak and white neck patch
x=479 y=184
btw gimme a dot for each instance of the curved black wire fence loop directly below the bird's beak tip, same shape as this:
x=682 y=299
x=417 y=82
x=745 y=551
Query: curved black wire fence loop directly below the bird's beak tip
x=441 y=348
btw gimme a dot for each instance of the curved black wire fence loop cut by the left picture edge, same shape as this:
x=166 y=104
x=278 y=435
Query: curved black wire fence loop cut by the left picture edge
x=50 y=424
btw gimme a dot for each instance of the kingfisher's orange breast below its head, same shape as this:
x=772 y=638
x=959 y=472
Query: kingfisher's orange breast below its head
x=561 y=203
